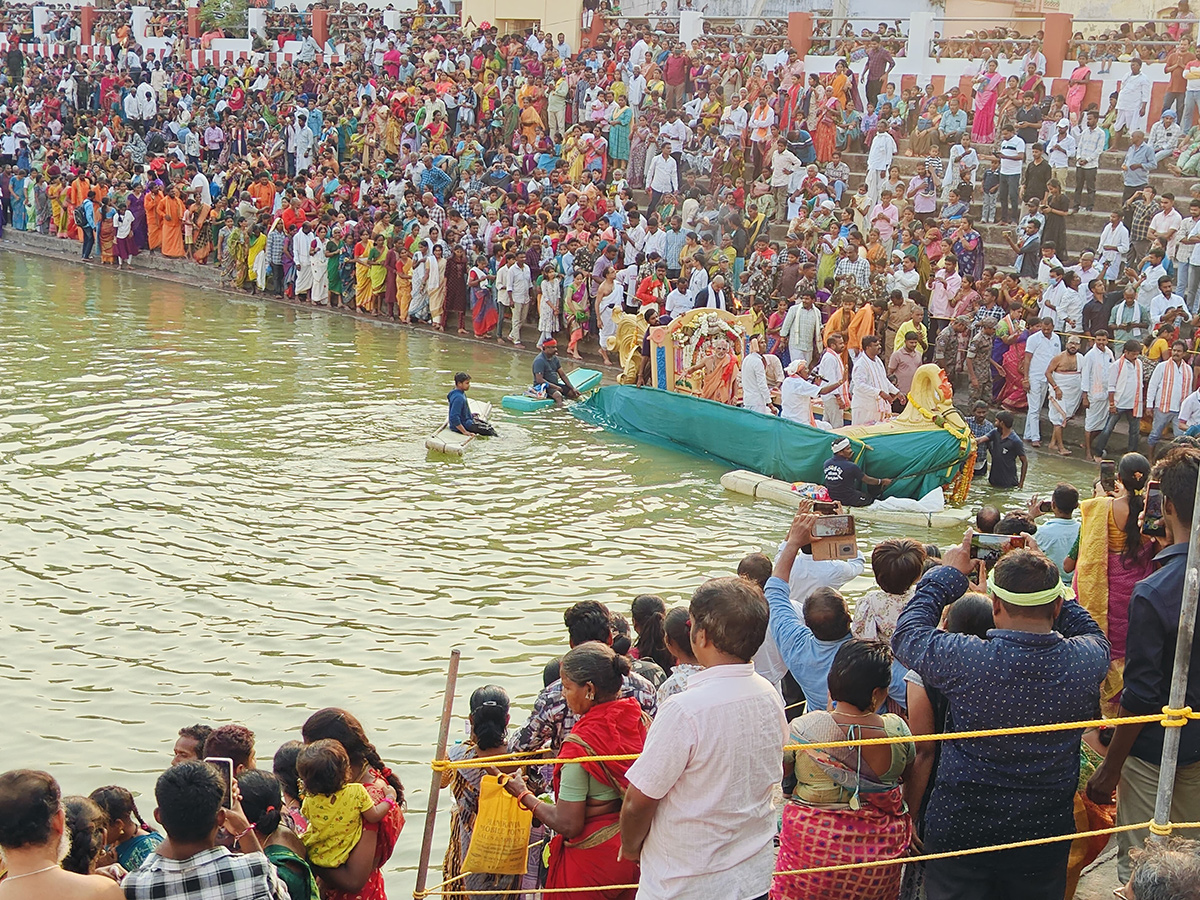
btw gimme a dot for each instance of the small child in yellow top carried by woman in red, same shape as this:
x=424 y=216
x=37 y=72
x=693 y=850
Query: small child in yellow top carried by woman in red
x=334 y=806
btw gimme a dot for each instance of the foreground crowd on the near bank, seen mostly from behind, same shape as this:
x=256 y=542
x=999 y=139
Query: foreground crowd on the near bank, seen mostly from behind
x=706 y=697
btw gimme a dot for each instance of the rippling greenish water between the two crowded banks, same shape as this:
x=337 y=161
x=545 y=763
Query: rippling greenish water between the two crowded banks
x=219 y=511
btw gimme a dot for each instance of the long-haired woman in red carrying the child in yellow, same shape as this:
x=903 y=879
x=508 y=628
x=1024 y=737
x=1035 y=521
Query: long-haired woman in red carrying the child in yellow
x=361 y=877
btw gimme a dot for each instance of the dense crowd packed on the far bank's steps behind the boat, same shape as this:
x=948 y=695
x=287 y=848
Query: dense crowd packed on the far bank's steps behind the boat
x=509 y=185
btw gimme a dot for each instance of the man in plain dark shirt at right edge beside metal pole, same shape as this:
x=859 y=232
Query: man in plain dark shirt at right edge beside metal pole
x=1133 y=761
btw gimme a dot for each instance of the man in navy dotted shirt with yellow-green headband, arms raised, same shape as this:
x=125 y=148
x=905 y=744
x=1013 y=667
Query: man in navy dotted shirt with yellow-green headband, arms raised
x=1043 y=663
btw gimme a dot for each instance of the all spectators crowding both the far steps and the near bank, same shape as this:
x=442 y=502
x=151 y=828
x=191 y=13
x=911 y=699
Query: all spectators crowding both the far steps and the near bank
x=454 y=177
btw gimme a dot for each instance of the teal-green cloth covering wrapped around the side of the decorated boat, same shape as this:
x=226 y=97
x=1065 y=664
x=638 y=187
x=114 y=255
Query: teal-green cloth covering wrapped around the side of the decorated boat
x=920 y=461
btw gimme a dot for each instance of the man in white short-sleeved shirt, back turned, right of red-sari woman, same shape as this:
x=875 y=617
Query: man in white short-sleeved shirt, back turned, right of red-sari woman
x=711 y=765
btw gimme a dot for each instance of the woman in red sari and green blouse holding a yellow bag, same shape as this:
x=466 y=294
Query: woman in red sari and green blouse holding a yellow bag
x=586 y=817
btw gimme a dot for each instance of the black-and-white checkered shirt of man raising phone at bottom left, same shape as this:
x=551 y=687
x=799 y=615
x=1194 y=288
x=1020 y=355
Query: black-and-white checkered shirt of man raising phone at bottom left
x=211 y=875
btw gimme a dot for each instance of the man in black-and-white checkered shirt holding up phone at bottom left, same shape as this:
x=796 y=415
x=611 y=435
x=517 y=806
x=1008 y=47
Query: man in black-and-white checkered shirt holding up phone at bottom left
x=190 y=866
